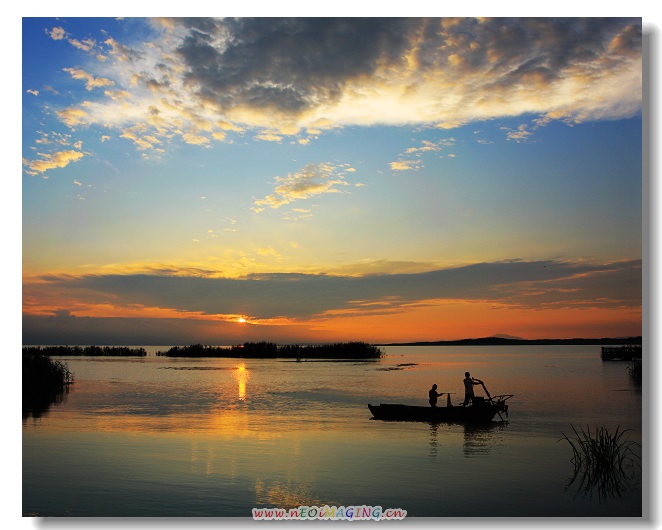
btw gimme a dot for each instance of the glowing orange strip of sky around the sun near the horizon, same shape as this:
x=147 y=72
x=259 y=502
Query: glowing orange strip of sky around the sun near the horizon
x=428 y=320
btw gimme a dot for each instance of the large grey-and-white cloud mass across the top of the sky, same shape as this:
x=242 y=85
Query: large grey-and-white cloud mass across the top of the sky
x=230 y=76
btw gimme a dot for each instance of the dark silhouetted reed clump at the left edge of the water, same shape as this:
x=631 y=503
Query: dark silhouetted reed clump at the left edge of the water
x=45 y=381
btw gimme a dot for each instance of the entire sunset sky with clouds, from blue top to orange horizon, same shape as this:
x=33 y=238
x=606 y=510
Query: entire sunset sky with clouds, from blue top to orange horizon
x=311 y=180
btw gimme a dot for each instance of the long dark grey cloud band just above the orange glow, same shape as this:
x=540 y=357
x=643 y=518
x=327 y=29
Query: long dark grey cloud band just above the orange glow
x=540 y=284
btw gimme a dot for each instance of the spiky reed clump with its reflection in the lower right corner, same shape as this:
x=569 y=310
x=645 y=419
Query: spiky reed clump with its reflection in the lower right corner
x=603 y=461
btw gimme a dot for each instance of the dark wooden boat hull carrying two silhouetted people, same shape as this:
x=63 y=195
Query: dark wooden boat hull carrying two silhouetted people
x=484 y=412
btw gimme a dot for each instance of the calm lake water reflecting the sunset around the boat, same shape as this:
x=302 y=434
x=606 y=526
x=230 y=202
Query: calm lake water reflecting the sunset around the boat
x=165 y=437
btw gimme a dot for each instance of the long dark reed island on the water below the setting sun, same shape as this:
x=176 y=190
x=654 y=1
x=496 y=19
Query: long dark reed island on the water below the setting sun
x=270 y=350
